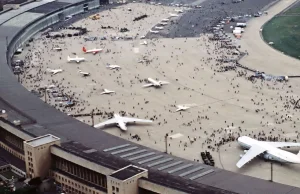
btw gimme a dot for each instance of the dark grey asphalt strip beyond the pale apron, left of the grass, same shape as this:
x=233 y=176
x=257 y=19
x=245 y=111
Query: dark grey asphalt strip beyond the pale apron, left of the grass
x=197 y=21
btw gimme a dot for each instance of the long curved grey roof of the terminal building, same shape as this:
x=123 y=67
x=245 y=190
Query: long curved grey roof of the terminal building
x=39 y=118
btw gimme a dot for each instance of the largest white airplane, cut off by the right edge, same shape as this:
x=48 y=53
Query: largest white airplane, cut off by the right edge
x=268 y=150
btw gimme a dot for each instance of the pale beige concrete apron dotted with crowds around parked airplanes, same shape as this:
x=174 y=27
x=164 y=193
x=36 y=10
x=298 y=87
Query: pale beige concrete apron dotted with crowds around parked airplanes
x=228 y=104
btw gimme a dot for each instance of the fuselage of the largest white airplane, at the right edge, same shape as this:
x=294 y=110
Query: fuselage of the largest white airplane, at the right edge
x=272 y=153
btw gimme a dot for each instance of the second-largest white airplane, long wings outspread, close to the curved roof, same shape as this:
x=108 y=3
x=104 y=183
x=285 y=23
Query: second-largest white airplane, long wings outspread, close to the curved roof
x=121 y=122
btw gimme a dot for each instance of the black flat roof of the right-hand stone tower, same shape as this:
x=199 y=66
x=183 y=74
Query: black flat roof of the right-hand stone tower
x=127 y=172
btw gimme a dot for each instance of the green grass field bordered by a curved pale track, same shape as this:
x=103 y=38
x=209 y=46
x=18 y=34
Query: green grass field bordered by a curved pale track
x=284 y=31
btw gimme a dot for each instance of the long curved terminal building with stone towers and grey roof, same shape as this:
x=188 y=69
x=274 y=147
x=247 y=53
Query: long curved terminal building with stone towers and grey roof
x=36 y=140
